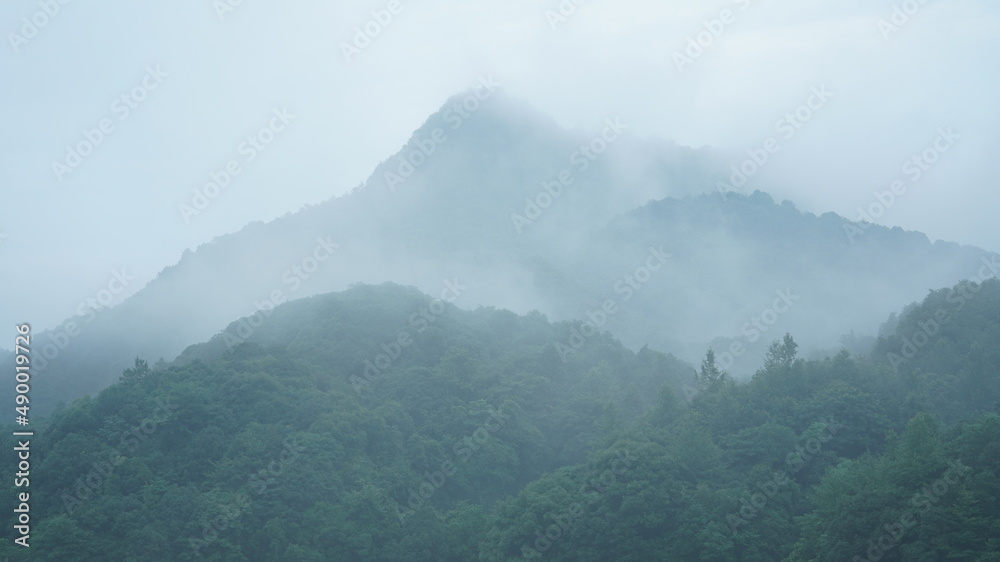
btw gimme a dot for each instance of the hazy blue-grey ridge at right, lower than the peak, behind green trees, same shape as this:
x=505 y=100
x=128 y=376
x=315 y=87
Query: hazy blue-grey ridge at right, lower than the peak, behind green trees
x=732 y=257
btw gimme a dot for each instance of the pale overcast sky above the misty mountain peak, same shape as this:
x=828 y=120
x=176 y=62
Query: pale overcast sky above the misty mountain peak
x=208 y=77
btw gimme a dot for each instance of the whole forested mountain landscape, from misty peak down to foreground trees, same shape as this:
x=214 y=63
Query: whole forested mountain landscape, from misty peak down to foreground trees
x=506 y=345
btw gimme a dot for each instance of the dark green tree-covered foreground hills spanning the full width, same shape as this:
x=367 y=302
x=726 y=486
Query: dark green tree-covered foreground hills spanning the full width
x=380 y=424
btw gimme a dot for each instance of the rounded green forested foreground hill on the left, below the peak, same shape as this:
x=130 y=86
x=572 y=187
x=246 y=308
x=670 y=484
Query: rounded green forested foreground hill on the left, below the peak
x=227 y=444
